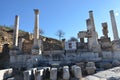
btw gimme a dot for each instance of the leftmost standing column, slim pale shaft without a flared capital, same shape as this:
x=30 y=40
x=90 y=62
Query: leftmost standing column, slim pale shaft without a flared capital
x=16 y=32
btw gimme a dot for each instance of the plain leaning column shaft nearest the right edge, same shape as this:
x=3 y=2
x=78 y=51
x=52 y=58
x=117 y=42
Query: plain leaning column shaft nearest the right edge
x=114 y=26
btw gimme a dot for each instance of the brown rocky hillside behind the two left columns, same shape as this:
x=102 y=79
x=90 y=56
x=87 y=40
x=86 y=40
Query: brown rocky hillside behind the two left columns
x=6 y=37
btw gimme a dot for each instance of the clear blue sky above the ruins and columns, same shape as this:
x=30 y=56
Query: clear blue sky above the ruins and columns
x=66 y=15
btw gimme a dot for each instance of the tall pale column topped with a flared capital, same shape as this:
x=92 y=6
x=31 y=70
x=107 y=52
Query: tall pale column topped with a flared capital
x=36 y=27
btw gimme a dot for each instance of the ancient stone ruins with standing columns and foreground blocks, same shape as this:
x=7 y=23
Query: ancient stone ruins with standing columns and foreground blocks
x=30 y=60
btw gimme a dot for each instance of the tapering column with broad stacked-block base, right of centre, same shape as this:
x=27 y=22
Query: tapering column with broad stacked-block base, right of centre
x=93 y=44
